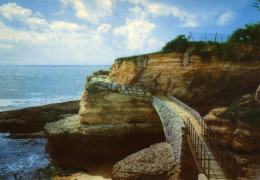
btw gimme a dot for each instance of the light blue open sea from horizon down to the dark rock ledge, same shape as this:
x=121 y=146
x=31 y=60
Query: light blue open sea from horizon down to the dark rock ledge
x=26 y=86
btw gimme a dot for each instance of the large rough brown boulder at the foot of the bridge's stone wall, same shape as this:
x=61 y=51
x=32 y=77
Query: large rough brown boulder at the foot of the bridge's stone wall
x=154 y=163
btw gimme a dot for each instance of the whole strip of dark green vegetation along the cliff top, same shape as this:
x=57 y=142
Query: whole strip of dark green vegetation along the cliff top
x=236 y=48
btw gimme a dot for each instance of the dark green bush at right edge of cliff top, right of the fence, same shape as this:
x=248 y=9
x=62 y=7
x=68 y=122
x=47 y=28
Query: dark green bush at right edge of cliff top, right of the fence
x=250 y=35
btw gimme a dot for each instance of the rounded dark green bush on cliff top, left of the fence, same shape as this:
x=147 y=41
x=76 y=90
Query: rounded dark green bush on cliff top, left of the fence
x=179 y=44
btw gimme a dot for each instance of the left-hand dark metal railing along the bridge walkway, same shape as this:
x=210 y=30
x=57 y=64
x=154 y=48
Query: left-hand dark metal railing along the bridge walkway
x=200 y=150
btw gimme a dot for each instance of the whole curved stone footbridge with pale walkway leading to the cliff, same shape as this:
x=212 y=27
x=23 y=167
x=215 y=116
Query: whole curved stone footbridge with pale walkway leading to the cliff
x=174 y=115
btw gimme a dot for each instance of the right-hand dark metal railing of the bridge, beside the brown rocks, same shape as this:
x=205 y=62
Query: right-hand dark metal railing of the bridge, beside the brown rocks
x=222 y=154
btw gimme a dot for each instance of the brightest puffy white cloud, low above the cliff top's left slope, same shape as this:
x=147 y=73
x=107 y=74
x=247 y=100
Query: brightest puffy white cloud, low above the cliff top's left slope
x=136 y=32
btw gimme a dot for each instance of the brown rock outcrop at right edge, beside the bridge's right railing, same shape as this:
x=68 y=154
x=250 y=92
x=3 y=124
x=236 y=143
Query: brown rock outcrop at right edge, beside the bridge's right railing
x=237 y=125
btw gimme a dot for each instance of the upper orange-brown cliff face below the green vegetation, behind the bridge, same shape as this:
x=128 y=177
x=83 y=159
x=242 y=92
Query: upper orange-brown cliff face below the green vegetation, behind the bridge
x=202 y=85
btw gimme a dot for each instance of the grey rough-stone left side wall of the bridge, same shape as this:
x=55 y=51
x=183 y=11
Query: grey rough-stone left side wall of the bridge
x=172 y=126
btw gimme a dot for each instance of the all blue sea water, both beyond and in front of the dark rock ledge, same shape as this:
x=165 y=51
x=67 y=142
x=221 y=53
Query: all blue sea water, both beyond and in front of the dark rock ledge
x=27 y=86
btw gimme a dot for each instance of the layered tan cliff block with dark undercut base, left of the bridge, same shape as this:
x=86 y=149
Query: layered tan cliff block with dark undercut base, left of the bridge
x=109 y=127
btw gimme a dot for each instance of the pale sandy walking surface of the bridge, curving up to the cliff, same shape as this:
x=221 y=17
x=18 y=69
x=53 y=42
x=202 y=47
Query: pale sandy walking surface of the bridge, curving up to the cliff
x=216 y=171
